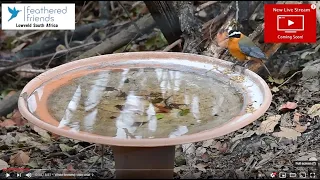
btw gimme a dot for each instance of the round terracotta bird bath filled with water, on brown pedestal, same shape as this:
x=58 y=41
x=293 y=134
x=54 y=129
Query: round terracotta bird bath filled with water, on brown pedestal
x=142 y=104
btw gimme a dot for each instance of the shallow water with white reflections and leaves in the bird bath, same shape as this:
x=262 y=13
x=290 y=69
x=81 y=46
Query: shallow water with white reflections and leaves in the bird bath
x=143 y=103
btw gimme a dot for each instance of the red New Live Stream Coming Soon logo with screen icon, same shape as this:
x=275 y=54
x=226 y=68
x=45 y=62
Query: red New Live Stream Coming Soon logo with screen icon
x=290 y=23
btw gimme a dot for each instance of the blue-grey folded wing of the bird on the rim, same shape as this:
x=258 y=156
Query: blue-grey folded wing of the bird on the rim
x=250 y=49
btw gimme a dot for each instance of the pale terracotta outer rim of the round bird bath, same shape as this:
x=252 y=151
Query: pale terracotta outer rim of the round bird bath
x=227 y=127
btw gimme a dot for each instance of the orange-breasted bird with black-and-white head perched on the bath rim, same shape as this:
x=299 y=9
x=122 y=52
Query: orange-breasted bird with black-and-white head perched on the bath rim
x=243 y=49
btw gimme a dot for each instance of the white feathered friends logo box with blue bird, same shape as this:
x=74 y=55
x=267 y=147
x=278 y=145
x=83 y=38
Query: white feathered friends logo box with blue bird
x=38 y=16
